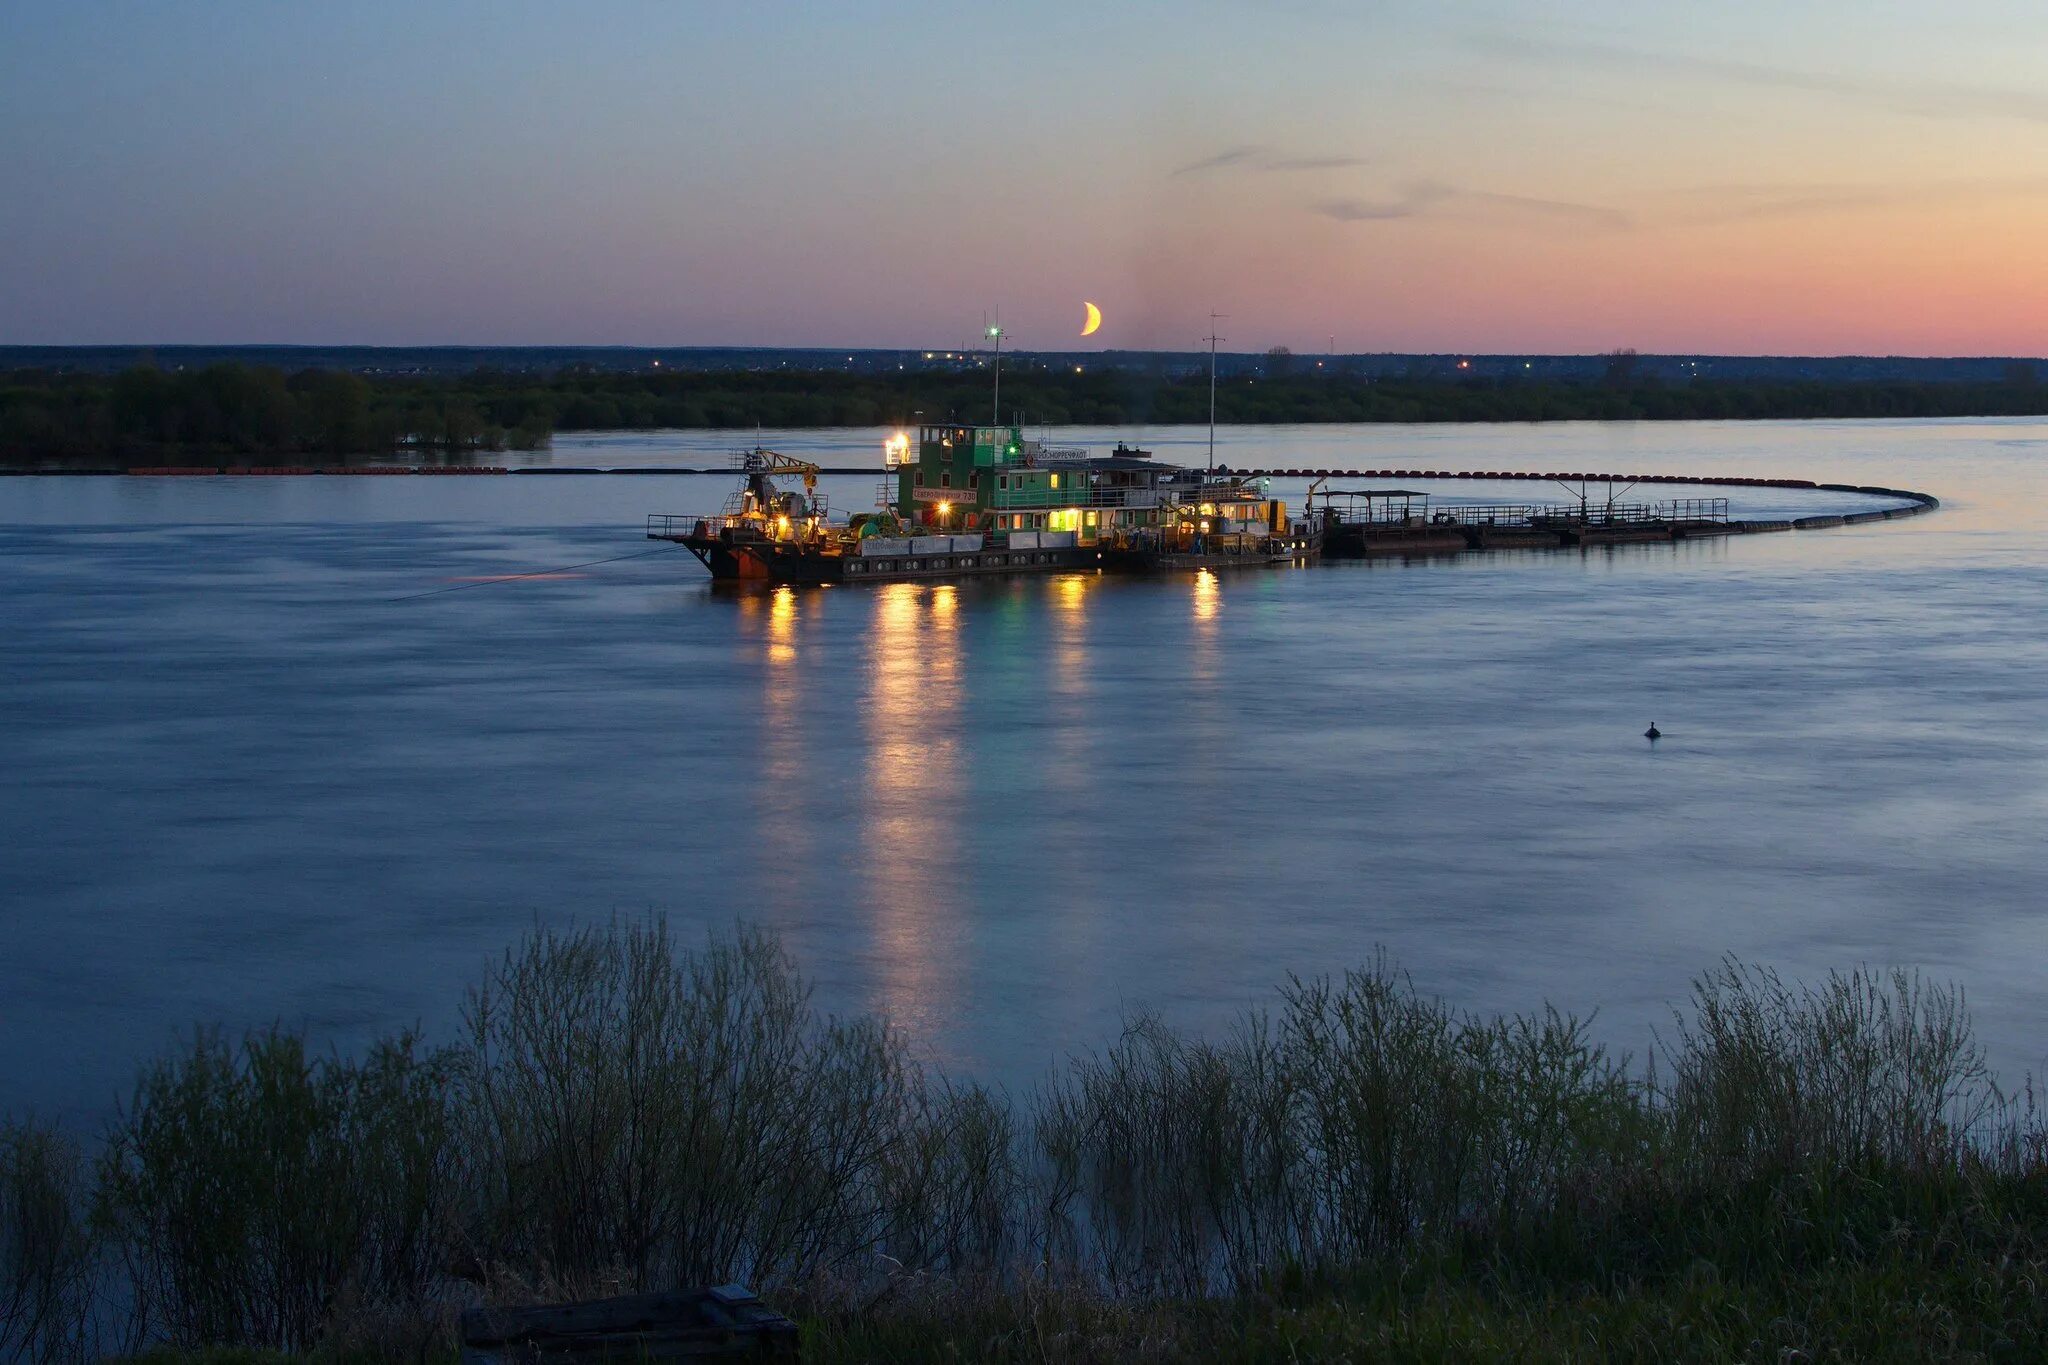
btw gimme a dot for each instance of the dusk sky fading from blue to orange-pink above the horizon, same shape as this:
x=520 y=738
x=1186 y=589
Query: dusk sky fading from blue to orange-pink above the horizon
x=1801 y=177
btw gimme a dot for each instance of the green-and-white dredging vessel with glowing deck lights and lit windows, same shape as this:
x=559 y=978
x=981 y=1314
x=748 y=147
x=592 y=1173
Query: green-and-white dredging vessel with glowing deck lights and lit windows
x=972 y=500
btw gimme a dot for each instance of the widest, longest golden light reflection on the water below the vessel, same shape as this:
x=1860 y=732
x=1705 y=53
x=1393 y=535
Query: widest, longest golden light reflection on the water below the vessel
x=912 y=795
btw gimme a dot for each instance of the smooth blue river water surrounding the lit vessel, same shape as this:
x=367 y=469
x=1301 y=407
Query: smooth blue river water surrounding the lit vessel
x=245 y=783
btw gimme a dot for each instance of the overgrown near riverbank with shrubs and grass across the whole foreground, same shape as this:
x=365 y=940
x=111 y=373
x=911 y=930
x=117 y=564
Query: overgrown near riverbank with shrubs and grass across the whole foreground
x=1355 y=1170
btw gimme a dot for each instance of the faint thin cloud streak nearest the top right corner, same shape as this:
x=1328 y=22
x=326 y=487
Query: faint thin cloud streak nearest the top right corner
x=1906 y=97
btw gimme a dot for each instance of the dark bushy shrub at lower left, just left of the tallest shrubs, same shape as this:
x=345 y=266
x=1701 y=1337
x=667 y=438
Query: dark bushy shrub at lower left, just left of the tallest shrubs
x=253 y=1190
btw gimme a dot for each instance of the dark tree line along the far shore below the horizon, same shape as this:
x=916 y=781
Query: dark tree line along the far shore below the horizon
x=251 y=412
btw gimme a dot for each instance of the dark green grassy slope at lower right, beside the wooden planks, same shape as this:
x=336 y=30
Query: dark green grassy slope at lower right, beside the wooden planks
x=1873 y=1268
